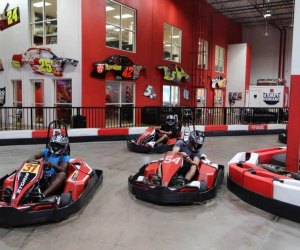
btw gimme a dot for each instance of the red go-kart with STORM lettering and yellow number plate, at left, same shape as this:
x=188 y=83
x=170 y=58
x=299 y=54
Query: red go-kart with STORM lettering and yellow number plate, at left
x=21 y=199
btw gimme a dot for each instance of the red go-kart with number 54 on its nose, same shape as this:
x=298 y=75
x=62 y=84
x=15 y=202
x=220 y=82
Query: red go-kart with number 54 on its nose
x=169 y=190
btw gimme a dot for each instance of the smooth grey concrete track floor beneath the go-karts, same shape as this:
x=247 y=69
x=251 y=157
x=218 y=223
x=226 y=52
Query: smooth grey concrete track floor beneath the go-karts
x=115 y=220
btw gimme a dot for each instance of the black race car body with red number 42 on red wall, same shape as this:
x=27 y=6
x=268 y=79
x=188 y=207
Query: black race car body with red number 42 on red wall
x=122 y=67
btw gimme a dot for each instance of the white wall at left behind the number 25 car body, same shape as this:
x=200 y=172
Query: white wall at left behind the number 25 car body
x=17 y=39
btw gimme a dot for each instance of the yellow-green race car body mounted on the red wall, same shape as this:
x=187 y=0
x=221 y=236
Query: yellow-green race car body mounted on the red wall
x=174 y=73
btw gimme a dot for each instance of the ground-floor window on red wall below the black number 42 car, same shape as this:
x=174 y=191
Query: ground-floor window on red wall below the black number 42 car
x=119 y=102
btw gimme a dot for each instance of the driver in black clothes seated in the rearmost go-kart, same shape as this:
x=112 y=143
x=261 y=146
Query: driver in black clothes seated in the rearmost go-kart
x=168 y=131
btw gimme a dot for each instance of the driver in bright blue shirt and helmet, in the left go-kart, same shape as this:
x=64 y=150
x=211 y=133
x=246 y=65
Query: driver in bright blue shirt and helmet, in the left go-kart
x=56 y=160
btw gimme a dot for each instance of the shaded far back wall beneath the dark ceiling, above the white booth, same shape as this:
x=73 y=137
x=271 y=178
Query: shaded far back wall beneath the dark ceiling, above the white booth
x=265 y=52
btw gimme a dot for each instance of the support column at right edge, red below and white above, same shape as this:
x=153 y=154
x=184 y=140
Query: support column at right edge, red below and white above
x=293 y=142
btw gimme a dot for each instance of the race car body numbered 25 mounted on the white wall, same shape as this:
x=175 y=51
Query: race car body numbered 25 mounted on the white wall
x=42 y=61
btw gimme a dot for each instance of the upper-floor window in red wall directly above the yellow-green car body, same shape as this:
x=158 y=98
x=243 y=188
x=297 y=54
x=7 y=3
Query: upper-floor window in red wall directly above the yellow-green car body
x=172 y=43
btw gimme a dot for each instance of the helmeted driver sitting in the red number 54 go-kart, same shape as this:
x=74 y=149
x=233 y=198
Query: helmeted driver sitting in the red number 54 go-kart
x=191 y=152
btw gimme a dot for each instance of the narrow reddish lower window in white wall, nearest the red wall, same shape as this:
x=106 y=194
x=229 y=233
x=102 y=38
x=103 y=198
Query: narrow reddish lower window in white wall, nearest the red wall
x=63 y=100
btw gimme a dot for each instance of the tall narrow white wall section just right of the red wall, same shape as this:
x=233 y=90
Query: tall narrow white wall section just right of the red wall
x=236 y=71
